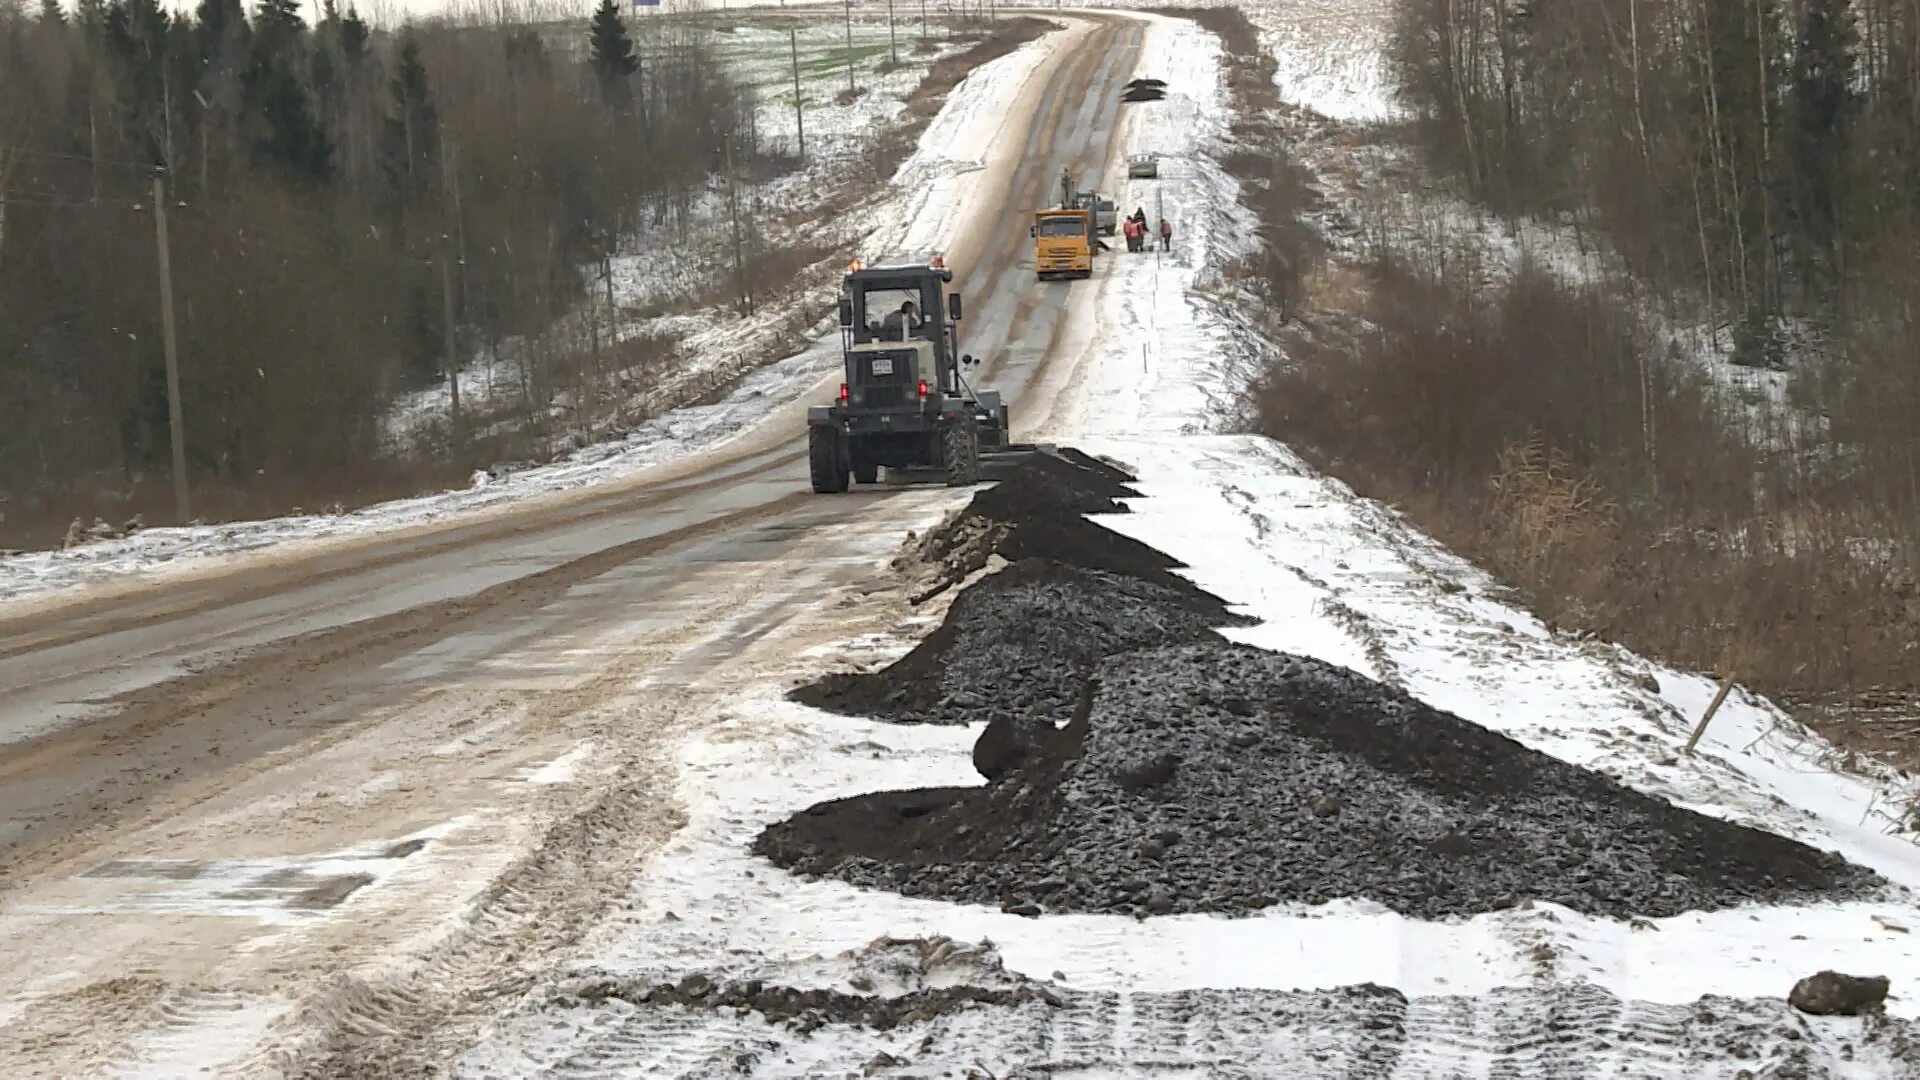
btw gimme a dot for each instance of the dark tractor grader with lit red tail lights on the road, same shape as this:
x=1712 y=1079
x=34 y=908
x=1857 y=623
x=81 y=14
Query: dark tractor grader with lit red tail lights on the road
x=903 y=403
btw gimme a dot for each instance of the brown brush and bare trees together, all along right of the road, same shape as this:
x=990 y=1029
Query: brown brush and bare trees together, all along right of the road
x=1754 y=166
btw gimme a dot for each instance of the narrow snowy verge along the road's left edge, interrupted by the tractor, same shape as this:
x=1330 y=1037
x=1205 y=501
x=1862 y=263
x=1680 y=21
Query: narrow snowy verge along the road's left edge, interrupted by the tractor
x=926 y=205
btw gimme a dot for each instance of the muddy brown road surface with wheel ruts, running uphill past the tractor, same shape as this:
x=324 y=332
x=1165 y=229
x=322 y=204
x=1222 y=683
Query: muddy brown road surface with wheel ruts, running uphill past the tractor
x=199 y=772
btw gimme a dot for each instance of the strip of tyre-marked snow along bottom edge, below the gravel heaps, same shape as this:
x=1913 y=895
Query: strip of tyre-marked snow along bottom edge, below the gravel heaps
x=1358 y=1033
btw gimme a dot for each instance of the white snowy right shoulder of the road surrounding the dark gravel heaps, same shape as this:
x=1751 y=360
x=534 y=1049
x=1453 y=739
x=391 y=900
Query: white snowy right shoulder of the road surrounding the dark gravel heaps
x=1330 y=576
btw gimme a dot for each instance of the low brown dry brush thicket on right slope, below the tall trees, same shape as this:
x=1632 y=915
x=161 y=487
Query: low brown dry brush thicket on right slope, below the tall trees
x=1514 y=430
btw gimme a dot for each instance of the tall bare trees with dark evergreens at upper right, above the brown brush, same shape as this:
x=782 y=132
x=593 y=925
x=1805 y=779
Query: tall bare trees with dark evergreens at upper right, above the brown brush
x=1750 y=160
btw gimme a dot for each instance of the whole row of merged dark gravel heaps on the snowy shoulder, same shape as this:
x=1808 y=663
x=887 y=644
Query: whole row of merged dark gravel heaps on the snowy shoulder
x=1140 y=764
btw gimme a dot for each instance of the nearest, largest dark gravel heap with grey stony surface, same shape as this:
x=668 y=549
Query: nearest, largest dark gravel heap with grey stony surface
x=1218 y=777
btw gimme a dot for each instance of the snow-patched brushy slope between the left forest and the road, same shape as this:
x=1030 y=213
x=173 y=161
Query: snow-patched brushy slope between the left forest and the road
x=658 y=285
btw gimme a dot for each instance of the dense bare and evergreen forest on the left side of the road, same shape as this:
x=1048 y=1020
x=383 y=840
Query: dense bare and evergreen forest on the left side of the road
x=333 y=193
